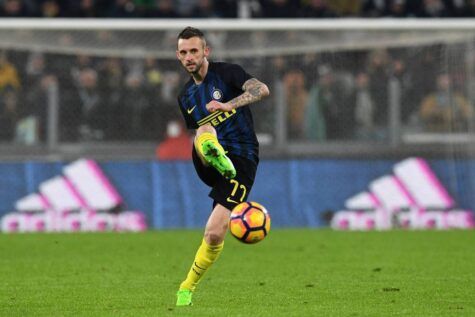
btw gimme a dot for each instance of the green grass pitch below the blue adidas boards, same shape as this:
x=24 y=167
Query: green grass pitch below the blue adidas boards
x=294 y=272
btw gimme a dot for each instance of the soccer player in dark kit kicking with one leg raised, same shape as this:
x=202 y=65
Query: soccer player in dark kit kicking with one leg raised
x=225 y=153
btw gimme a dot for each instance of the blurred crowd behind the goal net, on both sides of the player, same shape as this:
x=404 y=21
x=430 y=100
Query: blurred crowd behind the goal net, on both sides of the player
x=327 y=96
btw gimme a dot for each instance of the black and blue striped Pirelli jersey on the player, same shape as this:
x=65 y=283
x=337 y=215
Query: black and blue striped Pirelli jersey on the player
x=235 y=128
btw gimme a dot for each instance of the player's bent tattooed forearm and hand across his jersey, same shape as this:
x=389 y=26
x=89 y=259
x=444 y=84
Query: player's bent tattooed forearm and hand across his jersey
x=254 y=90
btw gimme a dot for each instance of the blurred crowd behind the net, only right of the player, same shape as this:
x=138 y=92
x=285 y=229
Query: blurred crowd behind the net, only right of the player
x=360 y=95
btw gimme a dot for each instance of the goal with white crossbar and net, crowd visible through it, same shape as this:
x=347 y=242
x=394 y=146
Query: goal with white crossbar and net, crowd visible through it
x=338 y=87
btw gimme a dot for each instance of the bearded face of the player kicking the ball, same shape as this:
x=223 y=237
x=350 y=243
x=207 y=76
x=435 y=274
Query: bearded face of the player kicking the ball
x=192 y=53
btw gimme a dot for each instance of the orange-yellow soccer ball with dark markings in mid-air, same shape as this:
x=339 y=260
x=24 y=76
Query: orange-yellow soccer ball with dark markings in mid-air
x=250 y=222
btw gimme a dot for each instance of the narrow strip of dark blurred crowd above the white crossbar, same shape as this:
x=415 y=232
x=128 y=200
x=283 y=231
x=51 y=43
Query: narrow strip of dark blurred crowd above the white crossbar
x=236 y=8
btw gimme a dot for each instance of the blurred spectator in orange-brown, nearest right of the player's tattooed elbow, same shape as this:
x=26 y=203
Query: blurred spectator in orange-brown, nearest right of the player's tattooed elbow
x=295 y=98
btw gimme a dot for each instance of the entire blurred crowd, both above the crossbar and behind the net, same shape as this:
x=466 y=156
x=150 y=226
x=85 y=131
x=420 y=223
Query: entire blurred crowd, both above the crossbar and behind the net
x=327 y=95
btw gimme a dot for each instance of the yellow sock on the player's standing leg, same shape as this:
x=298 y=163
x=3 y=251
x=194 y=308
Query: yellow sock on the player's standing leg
x=205 y=257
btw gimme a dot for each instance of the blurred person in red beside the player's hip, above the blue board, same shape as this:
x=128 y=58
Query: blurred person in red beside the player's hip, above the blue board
x=177 y=143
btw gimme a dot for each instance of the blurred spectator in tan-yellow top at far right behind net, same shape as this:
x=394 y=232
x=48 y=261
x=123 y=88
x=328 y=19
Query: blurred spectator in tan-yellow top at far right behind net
x=445 y=110
